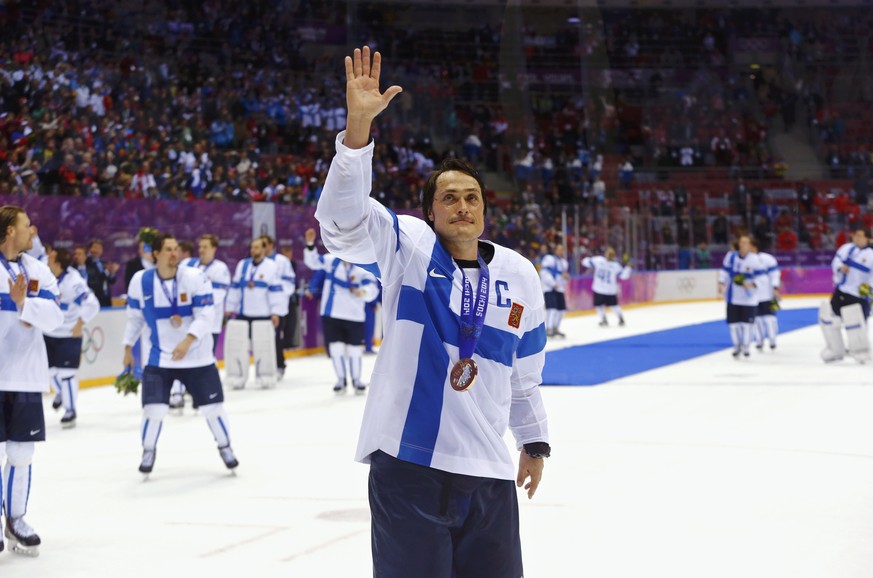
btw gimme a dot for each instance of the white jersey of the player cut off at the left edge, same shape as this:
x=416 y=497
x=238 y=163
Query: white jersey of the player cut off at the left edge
x=23 y=361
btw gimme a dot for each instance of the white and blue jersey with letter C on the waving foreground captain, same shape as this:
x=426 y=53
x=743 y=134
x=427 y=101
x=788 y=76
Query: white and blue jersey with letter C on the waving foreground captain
x=412 y=412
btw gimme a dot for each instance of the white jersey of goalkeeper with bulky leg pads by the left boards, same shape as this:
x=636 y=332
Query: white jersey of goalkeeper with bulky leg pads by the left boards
x=256 y=290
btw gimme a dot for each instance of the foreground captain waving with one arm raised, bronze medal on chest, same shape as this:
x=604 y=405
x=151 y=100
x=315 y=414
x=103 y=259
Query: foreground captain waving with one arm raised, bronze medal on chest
x=458 y=313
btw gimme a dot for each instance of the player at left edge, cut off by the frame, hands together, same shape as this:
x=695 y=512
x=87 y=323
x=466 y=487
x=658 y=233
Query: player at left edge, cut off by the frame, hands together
x=28 y=308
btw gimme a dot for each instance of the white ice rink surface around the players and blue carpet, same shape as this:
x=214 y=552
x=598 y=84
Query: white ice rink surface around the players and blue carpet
x=709 y=468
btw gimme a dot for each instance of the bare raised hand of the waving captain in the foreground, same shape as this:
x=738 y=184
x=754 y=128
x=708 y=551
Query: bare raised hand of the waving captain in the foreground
x=363 y=99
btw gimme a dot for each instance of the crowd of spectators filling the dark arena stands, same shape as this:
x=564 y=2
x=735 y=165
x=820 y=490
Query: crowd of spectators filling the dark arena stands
x=216 y=101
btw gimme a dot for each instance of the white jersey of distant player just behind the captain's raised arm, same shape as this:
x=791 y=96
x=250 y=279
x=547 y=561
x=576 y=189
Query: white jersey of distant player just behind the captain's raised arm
x=338 y=299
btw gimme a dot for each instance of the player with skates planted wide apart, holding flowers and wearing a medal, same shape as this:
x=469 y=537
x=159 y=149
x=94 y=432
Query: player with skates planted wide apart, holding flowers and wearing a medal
x=175 y=304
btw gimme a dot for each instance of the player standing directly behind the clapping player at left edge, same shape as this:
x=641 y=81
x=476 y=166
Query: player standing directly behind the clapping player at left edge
x=64 y=344
